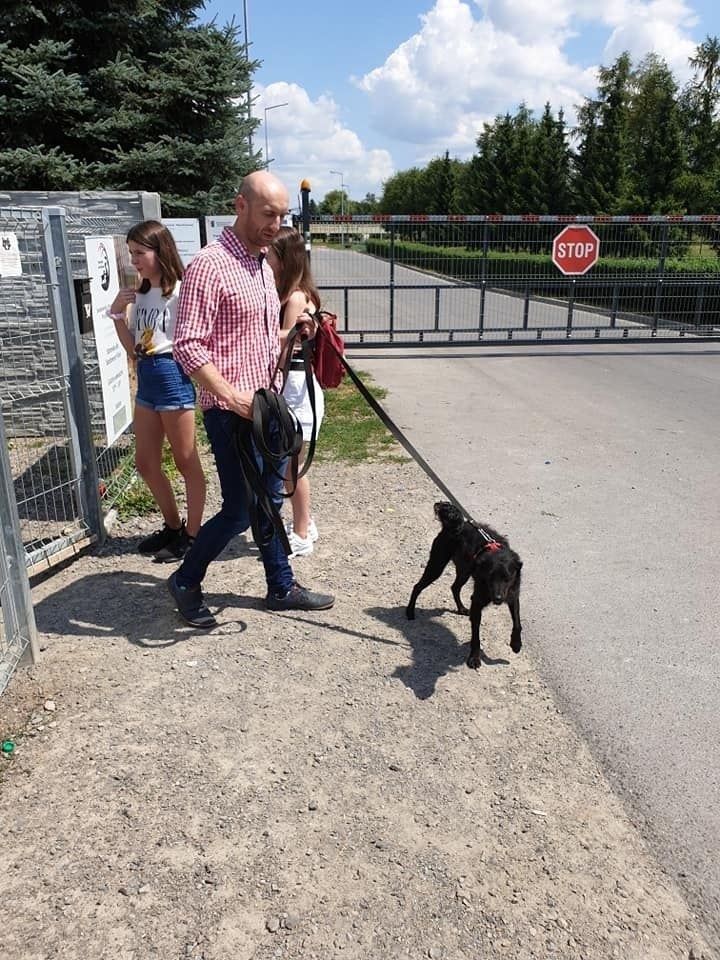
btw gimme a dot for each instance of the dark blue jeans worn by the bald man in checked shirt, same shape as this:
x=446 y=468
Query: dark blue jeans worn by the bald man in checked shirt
x=234 y=516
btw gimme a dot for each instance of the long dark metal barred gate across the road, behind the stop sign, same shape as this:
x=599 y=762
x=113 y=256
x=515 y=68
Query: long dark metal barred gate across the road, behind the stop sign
x=416 y=280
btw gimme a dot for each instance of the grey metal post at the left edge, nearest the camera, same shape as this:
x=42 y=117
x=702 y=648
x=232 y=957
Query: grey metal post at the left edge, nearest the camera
x=17 y=608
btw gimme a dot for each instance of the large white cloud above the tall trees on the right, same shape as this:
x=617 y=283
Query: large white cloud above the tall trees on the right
x=470 y=62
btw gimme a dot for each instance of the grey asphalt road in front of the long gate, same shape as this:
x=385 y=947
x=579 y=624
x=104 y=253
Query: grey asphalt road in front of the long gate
x=601 y=464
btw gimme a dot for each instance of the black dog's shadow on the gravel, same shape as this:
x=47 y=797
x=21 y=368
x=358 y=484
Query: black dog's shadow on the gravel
x=433 y=640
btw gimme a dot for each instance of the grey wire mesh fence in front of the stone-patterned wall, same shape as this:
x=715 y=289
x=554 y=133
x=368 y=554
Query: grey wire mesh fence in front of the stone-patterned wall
x=47 y=370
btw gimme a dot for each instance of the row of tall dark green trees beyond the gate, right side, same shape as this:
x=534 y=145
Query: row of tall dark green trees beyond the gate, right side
x=639 y=146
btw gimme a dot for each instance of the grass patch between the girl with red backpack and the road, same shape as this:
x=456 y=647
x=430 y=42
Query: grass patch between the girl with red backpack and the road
x=352 y=431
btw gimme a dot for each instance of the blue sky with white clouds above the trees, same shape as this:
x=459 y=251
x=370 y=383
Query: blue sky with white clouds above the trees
x=386 y=85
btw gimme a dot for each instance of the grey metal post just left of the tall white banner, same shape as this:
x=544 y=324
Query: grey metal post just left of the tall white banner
x=69 y=352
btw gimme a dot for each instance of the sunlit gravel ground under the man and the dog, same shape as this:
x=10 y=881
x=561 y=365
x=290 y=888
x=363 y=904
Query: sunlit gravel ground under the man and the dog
x=330 y=785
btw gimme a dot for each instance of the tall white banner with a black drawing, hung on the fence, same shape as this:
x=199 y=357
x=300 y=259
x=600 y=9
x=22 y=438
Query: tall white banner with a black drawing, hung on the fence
x=112 y=359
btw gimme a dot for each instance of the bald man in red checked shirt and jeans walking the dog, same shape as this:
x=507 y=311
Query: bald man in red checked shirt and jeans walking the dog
x=227 y=338
